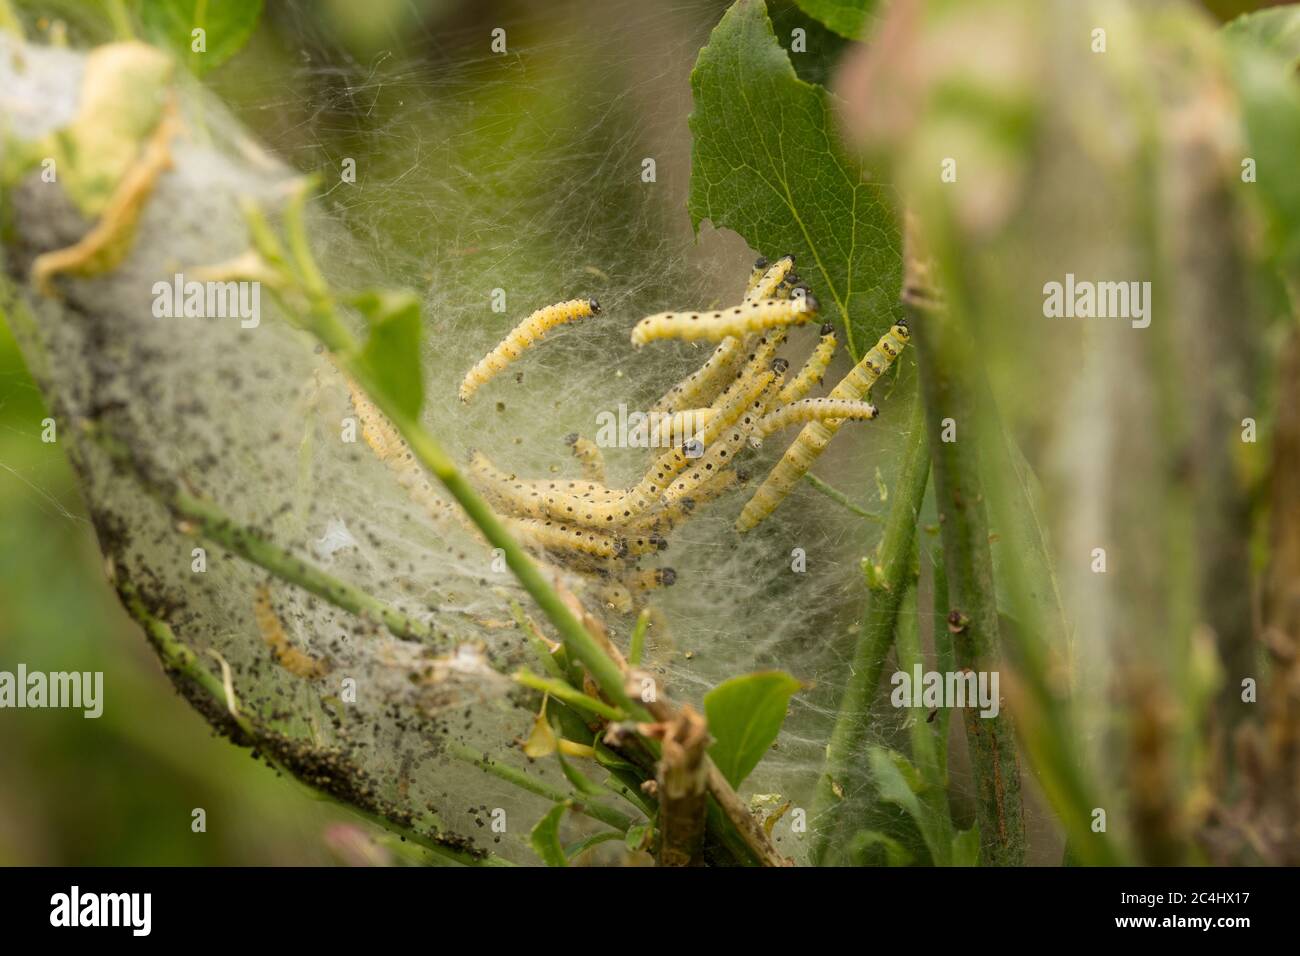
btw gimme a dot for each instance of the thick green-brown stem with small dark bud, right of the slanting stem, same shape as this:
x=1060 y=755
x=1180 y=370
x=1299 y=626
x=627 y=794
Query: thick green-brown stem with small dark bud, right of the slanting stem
x=946 y=358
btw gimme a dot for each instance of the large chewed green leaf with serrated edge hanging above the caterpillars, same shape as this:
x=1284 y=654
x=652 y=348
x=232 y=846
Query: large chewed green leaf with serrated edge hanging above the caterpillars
x=769 y=165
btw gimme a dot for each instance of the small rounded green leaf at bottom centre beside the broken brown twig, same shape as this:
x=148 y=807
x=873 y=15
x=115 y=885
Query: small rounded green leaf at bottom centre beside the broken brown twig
x=746 y=715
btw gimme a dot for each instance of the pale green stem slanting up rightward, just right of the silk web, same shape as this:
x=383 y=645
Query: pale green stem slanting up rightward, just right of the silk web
x=848 y=738
